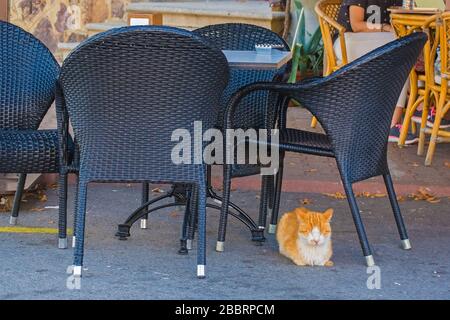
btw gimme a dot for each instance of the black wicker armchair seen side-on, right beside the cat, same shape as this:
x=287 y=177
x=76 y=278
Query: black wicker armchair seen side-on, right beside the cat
x=363 y=93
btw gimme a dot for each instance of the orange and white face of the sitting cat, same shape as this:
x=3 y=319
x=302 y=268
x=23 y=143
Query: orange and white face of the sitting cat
x=314 y=227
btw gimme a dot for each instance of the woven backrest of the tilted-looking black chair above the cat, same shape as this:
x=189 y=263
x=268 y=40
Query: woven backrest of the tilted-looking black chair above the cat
x=364 y=93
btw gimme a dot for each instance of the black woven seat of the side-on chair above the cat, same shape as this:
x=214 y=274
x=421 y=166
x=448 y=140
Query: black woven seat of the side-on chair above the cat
x=306 y=142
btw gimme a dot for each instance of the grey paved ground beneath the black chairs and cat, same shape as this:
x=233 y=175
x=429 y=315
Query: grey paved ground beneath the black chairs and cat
x=147 y=266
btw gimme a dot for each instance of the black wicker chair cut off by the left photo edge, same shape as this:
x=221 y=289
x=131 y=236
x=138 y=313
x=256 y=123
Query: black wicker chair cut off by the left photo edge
x=28 y=75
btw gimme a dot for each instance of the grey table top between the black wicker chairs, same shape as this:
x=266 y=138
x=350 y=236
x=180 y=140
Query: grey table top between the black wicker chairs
x=257 y=61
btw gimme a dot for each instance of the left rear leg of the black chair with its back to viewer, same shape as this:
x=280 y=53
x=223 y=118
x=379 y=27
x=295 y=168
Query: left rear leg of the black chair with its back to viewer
x=80 y=229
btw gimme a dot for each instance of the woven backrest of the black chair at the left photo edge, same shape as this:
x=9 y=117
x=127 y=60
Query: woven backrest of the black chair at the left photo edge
x=28 y=73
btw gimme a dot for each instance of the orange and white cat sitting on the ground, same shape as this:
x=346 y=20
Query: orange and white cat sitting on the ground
x=304 y=236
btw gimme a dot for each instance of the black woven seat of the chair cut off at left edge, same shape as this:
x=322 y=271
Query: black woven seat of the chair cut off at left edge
x=29 y=151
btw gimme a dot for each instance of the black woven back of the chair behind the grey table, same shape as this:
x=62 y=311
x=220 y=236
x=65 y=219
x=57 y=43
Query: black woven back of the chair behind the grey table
x=252 y=112
